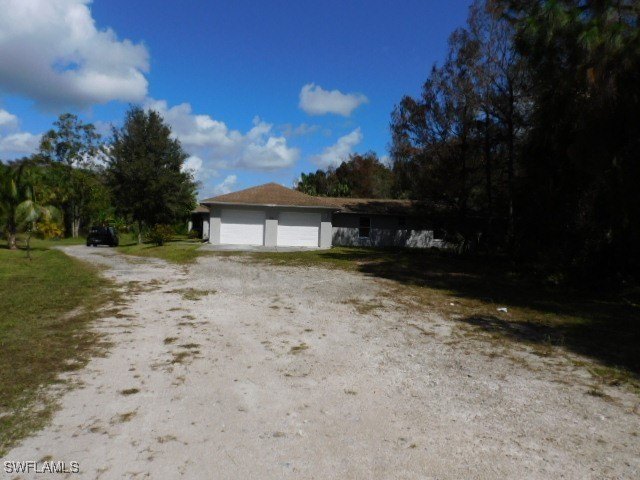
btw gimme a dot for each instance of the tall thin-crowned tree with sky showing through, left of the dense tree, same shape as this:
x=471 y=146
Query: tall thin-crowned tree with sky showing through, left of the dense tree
x=72 y=148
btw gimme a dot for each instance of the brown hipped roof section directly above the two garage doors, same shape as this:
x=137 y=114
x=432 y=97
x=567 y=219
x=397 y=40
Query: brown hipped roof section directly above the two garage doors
x=270 y=194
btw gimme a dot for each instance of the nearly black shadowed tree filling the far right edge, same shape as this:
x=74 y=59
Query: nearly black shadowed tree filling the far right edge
x=580 y=162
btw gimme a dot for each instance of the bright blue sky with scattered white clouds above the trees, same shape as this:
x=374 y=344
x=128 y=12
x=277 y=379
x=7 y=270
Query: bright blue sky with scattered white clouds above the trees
x=256 y=91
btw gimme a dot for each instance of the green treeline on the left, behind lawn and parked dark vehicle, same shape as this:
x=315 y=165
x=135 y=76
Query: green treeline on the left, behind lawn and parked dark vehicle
x=77 y=179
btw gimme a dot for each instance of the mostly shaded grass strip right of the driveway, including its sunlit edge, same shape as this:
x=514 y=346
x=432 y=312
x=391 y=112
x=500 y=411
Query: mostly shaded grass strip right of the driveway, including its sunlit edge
x=470 y=291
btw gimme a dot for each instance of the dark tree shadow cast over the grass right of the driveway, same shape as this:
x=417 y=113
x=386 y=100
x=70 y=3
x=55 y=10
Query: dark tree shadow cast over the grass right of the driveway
x=606 y=328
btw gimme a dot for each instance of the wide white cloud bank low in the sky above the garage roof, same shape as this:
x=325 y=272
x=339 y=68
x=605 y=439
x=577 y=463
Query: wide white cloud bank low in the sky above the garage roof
x=220 y=147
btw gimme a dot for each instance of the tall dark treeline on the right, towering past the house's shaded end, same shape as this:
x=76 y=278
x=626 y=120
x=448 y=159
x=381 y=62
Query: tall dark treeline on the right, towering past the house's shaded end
x=532 y=123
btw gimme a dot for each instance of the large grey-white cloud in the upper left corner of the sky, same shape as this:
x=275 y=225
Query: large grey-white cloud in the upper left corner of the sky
x=52 y=52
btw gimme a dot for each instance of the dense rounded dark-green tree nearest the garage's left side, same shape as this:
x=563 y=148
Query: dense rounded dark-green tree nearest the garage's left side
x=145 y=171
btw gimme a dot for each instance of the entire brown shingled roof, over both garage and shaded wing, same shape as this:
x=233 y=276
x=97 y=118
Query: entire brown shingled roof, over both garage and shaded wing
x=273 y=194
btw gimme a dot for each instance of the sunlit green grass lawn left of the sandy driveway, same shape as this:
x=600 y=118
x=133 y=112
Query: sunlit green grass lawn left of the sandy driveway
x=46 y=304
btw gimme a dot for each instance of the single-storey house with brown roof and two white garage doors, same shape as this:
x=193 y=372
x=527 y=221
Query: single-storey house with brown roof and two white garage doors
x=272 y=215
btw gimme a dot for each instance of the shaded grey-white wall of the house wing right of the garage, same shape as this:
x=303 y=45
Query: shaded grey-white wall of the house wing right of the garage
x=385 y=232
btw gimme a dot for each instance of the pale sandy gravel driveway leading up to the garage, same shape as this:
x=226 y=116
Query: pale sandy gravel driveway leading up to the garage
x=271 y=372
